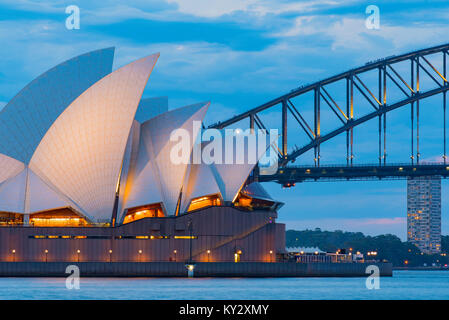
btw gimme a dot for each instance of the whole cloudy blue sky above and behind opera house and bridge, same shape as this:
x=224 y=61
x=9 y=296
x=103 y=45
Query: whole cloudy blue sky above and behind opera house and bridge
x=239 y=54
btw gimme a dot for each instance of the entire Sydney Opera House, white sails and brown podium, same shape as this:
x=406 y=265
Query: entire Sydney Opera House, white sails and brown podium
x=85 y=175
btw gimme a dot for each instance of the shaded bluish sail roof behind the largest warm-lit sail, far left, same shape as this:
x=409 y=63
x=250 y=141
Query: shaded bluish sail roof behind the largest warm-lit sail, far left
x=27 y=117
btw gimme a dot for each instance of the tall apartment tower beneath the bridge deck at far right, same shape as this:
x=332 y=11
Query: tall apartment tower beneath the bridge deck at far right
x=424 y=213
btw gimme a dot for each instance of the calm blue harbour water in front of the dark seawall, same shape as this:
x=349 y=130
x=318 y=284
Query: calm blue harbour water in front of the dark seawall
x=403 y=285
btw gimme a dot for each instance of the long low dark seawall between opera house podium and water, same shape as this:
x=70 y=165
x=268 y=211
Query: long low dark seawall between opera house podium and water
x=202 y=269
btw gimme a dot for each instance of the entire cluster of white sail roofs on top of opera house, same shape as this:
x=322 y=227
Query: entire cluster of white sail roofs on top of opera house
x=94 y=136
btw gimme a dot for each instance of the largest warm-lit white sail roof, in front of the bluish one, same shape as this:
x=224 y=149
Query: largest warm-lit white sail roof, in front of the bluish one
x=82 y=152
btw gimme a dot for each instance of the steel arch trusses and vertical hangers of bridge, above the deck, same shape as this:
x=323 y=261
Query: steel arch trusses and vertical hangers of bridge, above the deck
x=410 y=88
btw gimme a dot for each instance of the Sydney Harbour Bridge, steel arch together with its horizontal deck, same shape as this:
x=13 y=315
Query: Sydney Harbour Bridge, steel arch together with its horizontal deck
x=402 y=81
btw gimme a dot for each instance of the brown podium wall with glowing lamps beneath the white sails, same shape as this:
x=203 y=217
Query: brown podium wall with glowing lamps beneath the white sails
x=217 y=234
